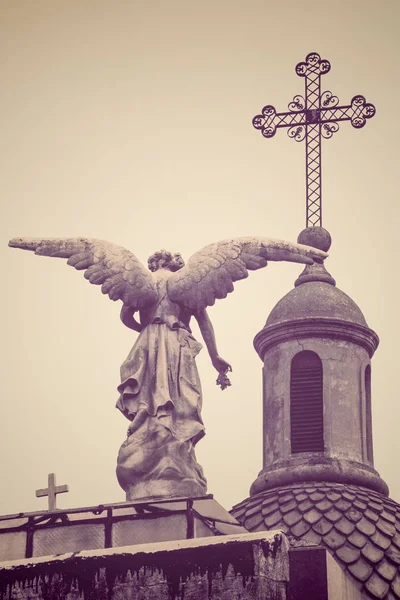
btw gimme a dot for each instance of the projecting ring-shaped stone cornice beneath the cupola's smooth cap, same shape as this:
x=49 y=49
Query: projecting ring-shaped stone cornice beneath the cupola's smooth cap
x=315 y=327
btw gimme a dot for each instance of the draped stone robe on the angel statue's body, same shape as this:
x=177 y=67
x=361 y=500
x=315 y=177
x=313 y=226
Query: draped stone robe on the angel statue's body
x=159 y=378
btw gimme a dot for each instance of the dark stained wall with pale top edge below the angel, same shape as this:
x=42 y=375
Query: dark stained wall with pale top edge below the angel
x=242 y=567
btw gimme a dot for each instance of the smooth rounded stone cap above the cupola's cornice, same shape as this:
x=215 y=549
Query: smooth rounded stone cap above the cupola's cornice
x=315 y=298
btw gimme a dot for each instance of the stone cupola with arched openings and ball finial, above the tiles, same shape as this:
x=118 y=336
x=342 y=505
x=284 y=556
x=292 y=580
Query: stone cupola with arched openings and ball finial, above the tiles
x=316 y=348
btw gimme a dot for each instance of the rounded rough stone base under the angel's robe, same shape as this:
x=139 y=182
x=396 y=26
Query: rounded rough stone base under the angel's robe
x=153 y=464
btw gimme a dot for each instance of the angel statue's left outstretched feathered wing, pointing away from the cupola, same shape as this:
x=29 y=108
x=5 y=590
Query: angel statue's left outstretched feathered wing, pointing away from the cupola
x=120 y=274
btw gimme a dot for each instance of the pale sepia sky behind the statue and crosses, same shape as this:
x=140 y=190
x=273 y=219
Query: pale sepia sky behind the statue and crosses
x=130 y=121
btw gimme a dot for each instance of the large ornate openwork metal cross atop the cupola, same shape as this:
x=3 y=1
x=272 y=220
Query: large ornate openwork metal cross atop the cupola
x=309 y=118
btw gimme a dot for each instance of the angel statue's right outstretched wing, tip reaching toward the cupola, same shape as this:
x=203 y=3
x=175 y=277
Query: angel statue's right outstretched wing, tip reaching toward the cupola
x=210 y=273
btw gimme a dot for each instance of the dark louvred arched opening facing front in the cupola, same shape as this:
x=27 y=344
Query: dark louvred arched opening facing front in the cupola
x=306 y=403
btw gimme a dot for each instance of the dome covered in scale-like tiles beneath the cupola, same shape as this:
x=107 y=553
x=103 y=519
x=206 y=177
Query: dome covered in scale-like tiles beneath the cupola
x=359 y=527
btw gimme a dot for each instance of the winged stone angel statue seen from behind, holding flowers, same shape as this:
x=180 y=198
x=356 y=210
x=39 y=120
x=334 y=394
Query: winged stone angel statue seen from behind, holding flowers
x=160 y=390
